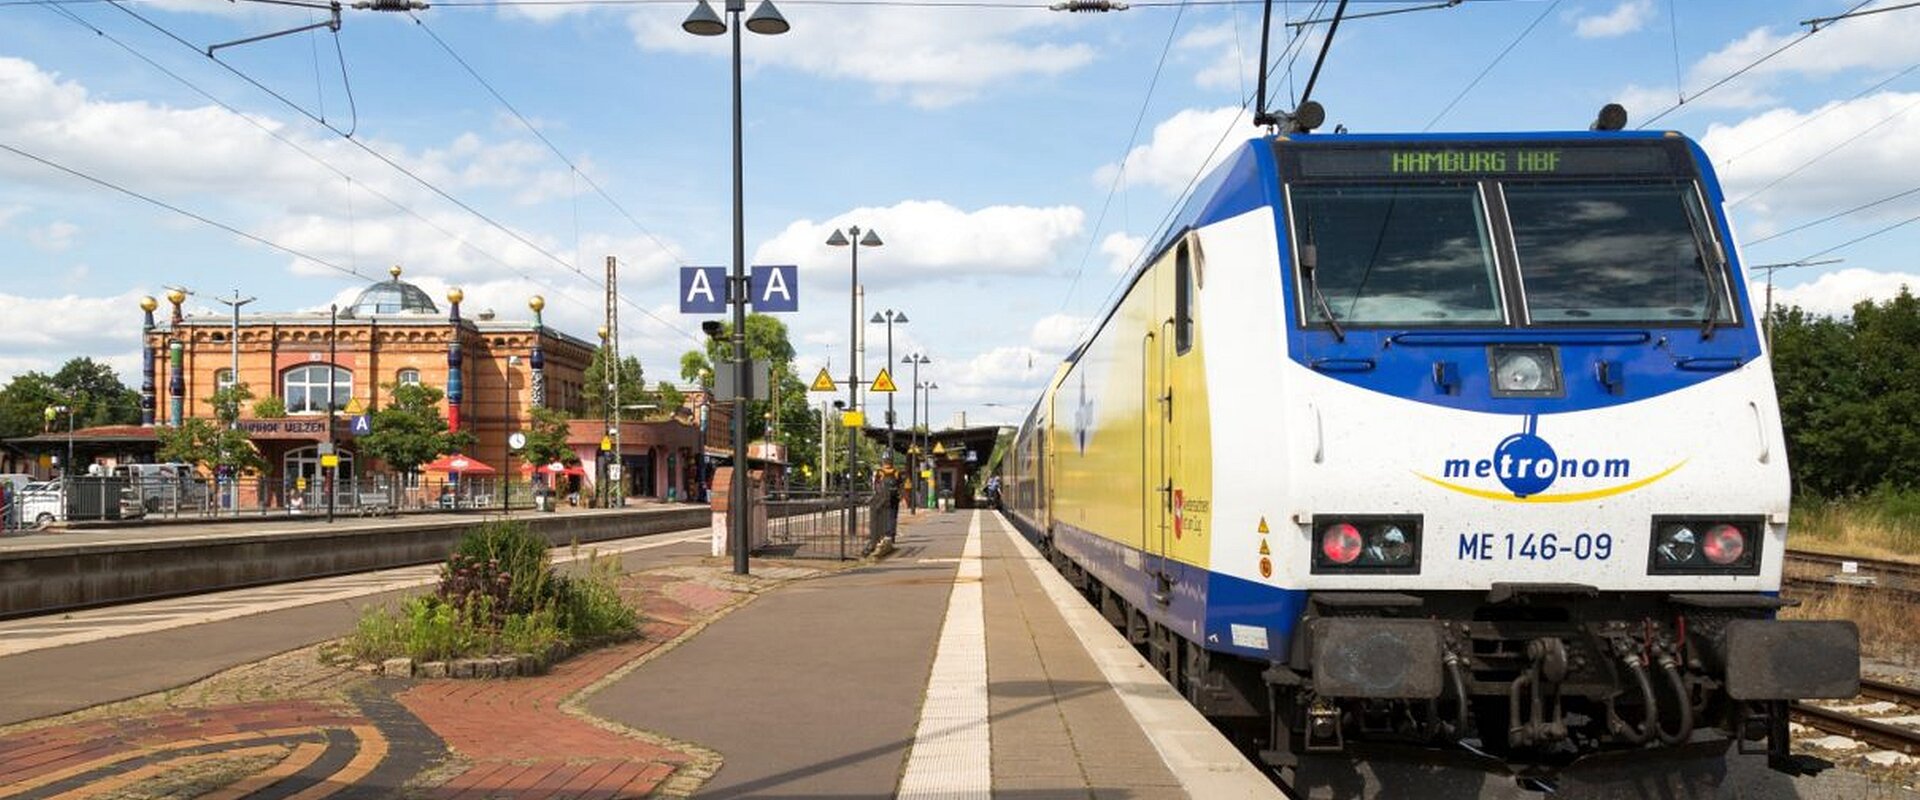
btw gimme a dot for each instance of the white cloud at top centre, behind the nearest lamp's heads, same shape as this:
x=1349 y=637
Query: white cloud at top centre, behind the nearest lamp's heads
x=934 y=57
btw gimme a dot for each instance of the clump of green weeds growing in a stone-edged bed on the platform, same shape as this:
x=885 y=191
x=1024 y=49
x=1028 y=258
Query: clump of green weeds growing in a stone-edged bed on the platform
x=498 y=594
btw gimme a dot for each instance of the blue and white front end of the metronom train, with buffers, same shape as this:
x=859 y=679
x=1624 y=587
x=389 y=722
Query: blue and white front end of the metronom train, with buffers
x=1535 y=458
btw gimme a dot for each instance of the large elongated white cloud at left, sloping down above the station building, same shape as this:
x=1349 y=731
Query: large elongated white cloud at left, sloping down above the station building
x=228 y=168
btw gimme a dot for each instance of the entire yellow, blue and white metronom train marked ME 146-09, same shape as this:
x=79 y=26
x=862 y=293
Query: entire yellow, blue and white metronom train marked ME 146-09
x=1445 y=442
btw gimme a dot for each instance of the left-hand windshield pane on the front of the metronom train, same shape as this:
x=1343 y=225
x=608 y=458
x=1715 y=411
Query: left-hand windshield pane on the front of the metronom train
x=1399 y=254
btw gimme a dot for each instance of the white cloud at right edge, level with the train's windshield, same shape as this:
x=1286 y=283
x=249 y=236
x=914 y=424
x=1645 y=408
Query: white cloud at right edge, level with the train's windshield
x=1758 y=153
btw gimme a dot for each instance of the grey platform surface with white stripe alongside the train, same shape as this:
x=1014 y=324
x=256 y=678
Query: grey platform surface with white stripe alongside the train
x=955 y=669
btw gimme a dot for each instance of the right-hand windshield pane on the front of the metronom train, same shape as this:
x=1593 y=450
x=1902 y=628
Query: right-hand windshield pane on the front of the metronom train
x=1595 y=252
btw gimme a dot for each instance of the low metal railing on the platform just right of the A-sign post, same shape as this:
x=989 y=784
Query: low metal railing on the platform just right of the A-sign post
x=838 y=525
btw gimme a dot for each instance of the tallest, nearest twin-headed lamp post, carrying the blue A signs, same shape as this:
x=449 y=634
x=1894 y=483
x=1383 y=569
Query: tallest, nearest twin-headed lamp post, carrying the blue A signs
x=704 y=22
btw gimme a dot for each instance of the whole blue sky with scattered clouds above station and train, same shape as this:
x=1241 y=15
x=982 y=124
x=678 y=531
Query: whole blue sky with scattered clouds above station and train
x=1015 y=160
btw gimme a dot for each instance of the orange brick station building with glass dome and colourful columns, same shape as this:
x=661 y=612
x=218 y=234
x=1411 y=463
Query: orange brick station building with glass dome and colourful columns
x=494 y=373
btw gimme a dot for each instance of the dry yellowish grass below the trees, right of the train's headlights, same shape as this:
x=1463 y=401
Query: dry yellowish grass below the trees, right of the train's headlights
x=1884 y=525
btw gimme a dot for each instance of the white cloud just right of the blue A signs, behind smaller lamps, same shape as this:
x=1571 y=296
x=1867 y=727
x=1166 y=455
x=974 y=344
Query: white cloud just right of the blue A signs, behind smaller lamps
x=928 y=239
